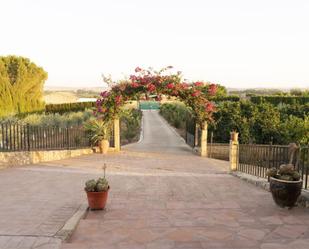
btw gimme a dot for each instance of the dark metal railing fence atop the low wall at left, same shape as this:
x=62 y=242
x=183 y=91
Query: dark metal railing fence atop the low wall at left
x=17 y=137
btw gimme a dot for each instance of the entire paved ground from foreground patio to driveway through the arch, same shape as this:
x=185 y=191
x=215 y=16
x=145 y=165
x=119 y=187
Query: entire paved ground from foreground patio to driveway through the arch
x=162 y=196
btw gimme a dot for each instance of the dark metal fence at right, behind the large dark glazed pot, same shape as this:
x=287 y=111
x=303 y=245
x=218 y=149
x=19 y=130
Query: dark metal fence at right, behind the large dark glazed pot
x=257 y=159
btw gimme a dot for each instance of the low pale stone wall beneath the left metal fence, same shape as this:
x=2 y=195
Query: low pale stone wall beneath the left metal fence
x=10 y=159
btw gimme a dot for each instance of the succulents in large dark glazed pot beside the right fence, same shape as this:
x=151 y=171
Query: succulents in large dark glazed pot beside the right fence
x=285 y=185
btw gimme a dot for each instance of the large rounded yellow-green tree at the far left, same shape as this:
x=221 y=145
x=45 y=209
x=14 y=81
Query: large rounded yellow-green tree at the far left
x=21 y=85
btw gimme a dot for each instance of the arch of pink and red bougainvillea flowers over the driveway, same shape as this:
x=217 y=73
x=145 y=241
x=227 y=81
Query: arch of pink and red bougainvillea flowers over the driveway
x=145 y=82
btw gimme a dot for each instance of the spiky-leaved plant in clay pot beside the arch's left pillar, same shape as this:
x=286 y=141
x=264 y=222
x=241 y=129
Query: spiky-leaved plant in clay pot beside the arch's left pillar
x=99 y=132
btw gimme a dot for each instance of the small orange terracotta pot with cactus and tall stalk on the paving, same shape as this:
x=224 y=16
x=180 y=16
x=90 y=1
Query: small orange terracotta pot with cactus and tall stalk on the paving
x=97 y=192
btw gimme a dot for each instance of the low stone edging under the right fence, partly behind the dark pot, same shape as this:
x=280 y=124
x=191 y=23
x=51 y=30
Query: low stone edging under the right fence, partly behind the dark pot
x=303 y=200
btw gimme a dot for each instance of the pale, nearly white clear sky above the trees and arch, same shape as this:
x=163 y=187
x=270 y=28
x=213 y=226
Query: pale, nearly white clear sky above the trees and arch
x=237 y=43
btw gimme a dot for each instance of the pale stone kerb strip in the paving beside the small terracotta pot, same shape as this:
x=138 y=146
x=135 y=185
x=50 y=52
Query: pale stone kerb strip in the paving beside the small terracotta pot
x=69 y=227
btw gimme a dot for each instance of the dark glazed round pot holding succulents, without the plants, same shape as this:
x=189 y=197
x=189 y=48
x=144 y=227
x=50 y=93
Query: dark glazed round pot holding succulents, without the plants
x=285 y=193
